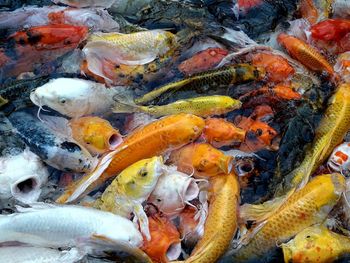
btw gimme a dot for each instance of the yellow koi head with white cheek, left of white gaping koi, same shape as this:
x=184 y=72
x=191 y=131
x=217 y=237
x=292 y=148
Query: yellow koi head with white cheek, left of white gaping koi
x=139 y=179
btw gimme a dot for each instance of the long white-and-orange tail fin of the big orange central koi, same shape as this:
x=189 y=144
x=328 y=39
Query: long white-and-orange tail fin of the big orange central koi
x=86 y=181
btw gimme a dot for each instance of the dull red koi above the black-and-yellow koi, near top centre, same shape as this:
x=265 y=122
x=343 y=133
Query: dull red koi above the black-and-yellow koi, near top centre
x=203 y=61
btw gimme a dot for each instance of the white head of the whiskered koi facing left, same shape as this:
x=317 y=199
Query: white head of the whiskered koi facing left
x=66 y=96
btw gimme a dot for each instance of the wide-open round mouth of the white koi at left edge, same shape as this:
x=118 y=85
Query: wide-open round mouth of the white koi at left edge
x=26 y=190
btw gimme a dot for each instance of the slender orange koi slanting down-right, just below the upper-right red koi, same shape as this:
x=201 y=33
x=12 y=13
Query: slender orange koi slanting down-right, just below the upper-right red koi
x=305 y=54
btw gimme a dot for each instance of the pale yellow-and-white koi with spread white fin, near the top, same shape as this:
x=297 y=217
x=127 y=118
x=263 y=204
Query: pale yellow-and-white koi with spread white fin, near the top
x=132 y=49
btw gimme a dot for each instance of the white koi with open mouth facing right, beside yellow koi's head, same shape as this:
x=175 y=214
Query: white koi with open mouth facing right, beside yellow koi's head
x=173 y=190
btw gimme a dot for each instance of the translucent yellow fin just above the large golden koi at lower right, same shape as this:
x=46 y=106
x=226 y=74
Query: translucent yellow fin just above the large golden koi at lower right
x=261 y=212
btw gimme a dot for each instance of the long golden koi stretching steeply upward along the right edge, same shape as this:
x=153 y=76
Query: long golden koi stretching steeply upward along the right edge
x=330 y=132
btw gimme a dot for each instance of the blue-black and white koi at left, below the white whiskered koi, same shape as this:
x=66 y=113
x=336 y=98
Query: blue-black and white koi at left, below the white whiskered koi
x=56 y=150
